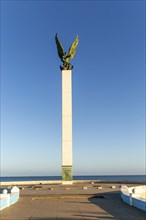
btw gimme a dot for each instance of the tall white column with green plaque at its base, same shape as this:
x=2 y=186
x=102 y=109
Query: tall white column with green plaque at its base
x=66 y=126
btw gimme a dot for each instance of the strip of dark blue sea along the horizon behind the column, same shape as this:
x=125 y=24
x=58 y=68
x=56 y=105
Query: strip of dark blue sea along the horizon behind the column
x=120 y=178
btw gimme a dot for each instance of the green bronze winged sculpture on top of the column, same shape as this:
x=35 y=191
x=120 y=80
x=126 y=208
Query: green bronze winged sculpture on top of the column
x=66 y=56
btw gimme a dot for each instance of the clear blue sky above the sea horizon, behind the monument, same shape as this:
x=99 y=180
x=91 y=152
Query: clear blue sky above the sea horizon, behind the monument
x=108 y=86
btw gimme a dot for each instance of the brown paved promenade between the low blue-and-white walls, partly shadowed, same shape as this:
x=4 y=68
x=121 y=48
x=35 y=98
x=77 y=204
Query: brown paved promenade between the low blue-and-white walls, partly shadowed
x=90 y=202
